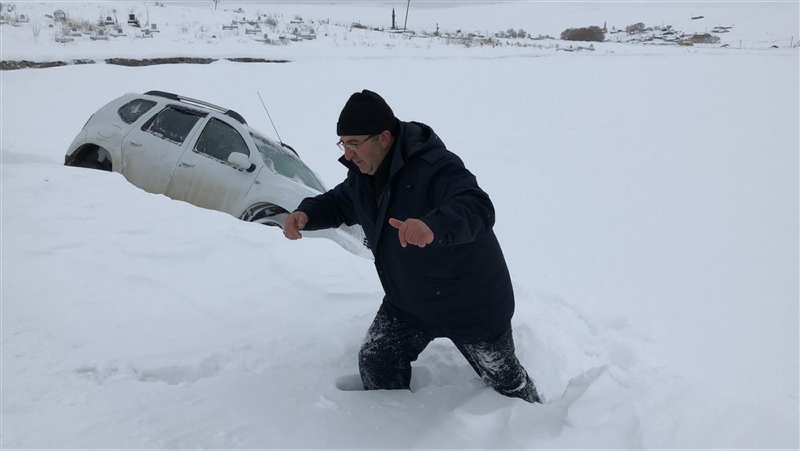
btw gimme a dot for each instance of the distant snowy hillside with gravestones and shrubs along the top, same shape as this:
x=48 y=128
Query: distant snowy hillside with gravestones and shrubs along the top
x=363 y=29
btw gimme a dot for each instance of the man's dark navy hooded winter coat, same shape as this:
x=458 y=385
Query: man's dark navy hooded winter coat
x=456 y=287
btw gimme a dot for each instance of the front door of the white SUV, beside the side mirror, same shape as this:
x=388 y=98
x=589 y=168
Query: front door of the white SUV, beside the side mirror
x=204 y=177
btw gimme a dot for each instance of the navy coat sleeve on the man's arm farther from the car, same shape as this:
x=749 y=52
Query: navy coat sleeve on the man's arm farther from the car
x=462 y=211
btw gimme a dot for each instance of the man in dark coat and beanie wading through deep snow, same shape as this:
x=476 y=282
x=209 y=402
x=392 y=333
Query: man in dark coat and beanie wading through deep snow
x=429 y=226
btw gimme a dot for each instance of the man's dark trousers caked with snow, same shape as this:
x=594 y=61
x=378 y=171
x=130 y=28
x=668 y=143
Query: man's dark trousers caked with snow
x=391 y=344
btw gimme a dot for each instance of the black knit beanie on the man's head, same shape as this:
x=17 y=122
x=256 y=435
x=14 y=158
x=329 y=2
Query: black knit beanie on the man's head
x=365 y=113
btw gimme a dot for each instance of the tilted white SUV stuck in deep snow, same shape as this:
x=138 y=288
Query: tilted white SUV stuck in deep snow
x=203 y=154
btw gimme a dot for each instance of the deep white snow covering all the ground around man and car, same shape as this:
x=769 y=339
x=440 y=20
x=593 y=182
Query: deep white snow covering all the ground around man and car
x=647 y=203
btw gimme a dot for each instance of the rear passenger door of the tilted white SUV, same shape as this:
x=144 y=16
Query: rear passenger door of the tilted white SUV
x=151 y=152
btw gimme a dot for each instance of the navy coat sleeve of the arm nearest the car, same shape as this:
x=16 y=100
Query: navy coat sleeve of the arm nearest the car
x=331 y=209
